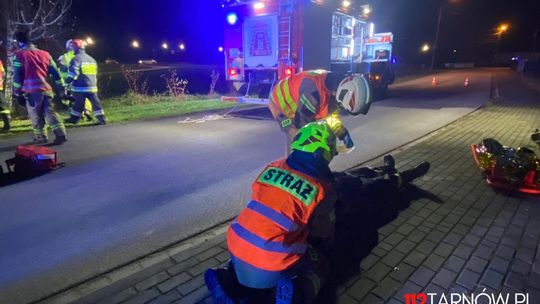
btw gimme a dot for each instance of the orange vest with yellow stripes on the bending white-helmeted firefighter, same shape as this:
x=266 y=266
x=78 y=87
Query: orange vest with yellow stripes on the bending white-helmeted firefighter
x=286 y=94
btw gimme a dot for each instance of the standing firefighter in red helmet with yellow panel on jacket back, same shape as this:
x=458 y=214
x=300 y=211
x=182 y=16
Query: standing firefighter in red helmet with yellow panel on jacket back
x=82 y=81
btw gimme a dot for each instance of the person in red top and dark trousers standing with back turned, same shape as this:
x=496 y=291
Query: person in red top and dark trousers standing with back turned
x=30 y=87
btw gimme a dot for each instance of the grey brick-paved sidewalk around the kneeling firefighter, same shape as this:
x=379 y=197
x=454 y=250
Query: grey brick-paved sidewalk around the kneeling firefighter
x=475 y=241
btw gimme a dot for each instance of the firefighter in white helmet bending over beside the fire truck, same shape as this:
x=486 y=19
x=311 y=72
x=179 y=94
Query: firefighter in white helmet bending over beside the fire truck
x=314 y=95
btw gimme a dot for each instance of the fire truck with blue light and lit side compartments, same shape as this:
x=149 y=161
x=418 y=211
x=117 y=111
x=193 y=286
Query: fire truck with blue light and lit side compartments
x=268 y=40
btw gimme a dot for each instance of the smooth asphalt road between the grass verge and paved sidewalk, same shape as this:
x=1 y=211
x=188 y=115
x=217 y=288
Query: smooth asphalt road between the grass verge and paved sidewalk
x=128 y=189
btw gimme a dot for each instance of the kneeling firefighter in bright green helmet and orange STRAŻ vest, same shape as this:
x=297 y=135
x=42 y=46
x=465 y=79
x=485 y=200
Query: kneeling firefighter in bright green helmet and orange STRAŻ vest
x=292 y=199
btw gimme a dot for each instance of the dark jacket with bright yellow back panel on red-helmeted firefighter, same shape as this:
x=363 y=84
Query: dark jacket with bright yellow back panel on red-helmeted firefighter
x=82 y=73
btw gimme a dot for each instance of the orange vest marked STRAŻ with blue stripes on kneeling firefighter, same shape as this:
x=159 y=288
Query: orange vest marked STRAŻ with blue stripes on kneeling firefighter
x=271 y=232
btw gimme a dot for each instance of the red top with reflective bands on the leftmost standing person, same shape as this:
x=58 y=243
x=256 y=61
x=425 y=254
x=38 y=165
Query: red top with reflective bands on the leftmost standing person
x=31 y=69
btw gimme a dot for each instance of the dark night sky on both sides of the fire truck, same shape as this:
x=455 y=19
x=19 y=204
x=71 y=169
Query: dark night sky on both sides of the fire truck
x=467 y=26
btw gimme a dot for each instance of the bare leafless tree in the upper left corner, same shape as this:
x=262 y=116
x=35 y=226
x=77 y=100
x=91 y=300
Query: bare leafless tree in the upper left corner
x=43 y=19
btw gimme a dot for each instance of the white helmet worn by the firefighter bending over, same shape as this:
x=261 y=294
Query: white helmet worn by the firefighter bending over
x=354 y=94
